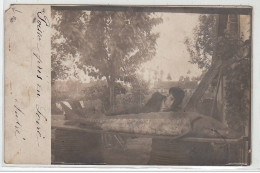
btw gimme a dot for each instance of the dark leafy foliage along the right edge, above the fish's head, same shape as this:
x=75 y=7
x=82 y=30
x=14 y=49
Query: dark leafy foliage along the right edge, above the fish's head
x=238 y=77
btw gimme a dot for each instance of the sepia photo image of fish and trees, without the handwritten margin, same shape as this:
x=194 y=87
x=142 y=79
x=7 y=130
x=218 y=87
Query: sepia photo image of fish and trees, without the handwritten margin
x=151 y=85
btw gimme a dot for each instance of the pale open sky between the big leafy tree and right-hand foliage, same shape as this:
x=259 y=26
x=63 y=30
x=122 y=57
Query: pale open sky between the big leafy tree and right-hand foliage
x=172 y=56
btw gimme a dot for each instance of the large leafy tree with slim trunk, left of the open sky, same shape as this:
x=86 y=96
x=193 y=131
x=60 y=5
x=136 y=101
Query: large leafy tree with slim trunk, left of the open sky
x=110 y=44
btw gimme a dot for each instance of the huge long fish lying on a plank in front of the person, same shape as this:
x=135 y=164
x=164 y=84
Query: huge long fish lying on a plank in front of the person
x=160 y=123
